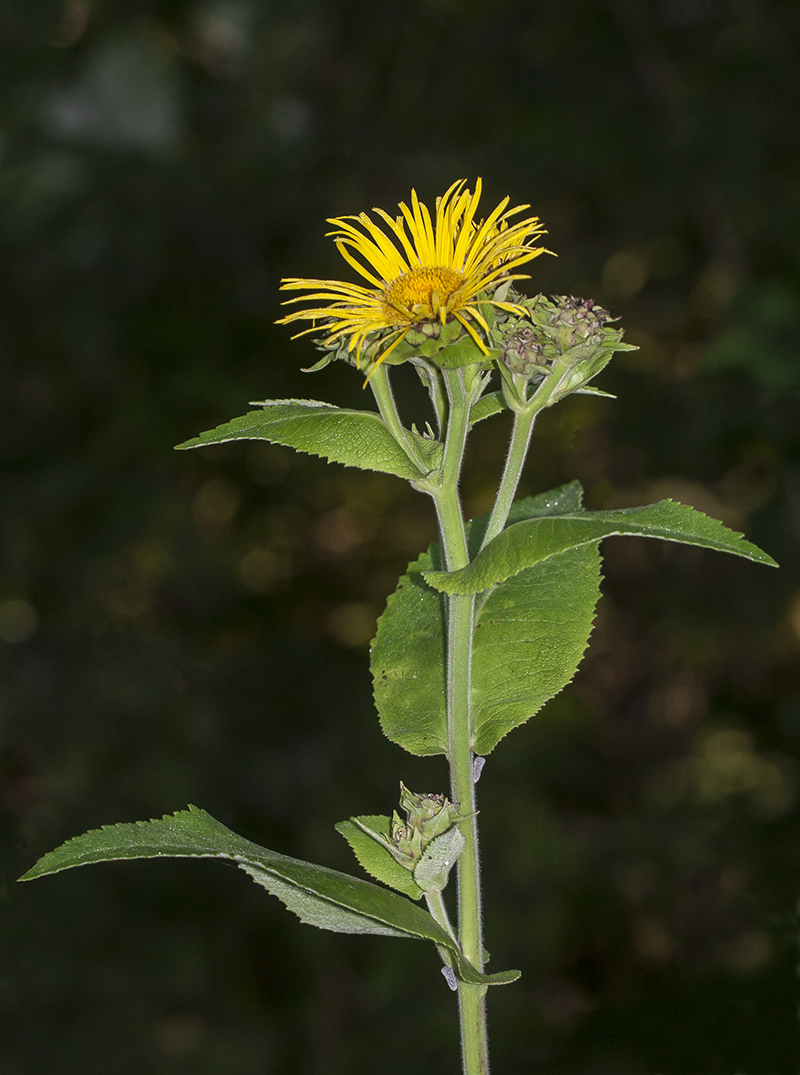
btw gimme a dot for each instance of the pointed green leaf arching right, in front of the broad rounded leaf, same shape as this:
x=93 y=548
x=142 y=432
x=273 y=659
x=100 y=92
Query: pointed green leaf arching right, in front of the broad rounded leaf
x=527 y=543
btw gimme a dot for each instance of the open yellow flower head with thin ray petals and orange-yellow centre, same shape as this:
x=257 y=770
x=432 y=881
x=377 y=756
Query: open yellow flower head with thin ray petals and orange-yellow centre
x=422 y=270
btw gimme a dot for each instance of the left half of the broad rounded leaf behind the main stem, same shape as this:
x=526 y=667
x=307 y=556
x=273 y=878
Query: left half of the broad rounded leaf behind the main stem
x=408 y=664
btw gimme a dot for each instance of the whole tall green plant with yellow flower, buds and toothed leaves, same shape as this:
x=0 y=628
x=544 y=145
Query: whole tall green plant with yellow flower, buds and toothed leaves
x=488 y=625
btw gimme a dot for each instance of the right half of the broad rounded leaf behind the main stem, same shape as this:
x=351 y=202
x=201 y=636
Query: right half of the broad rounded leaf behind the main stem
x=531 y=636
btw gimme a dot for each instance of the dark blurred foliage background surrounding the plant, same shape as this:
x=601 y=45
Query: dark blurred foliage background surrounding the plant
x=195 y=628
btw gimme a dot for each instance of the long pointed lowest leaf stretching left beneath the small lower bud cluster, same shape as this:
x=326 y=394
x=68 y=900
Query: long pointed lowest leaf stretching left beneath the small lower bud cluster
x=320 y=897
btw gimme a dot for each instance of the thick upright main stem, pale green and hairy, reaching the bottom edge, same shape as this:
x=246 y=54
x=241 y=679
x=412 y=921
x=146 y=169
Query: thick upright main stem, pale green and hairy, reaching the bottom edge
x=460 y=614
